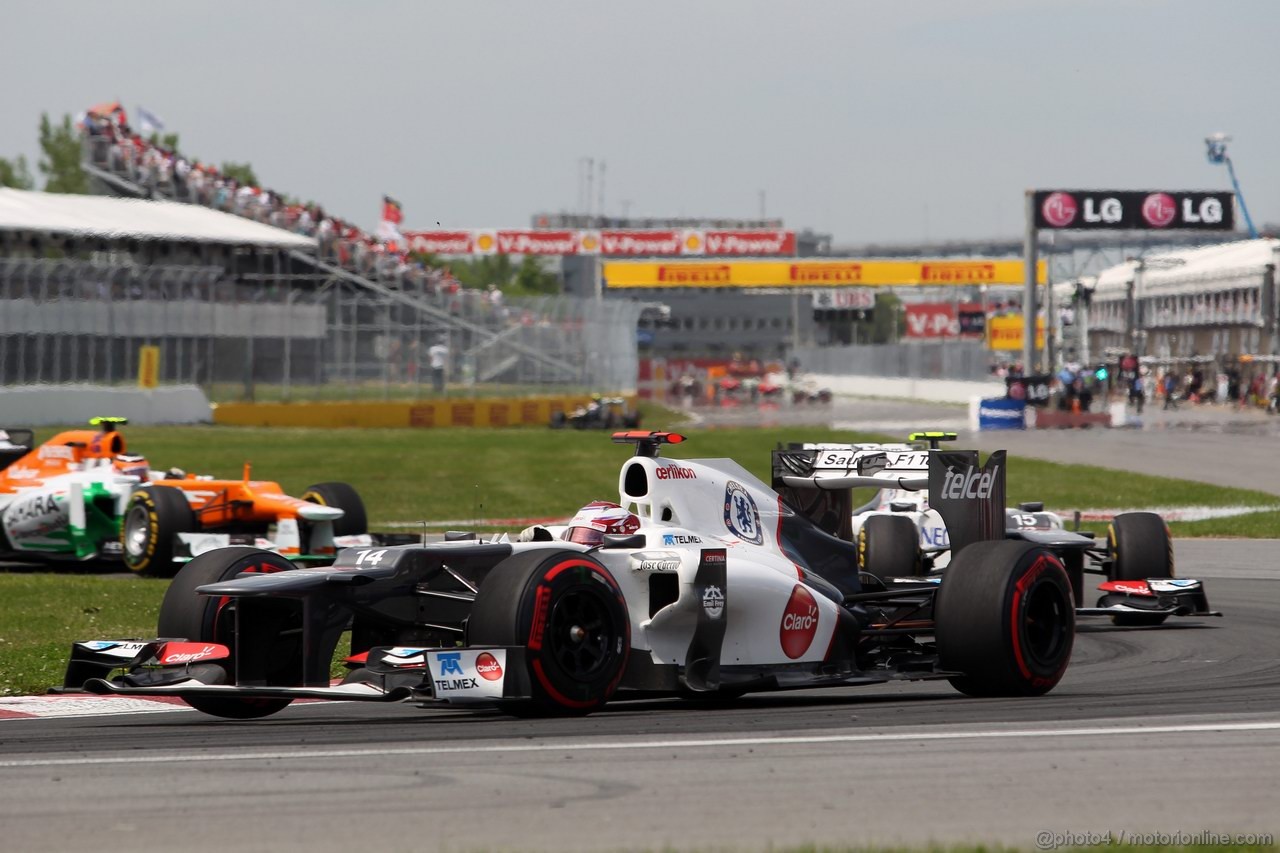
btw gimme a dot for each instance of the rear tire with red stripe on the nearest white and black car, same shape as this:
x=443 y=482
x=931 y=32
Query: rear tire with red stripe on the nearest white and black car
x=1005 y=619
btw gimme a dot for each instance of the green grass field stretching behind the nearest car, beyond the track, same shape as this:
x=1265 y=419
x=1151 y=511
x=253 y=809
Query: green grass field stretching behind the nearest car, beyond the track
x=438 y=475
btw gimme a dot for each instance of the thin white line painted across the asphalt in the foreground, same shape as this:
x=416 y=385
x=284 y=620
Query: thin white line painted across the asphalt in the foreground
x=696 y=743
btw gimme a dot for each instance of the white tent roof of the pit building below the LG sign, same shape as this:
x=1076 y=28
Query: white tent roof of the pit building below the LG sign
x=1194 y=271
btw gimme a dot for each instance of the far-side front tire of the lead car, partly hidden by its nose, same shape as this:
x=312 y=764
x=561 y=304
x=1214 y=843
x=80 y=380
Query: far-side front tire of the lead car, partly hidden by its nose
x=205 y=619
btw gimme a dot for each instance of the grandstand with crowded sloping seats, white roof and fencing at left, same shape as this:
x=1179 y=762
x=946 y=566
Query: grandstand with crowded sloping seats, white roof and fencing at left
x=250 y=297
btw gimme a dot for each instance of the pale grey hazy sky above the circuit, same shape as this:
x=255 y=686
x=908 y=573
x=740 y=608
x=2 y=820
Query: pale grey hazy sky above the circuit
x=872 y=121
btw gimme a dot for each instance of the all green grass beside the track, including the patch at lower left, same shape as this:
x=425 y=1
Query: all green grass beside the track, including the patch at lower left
x=438 y=475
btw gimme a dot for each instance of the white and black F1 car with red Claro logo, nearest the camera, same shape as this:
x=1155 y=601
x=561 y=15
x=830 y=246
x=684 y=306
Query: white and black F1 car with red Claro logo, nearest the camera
x=700 y=582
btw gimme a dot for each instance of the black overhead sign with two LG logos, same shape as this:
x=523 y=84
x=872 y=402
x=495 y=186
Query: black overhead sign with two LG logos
x=1082 y=209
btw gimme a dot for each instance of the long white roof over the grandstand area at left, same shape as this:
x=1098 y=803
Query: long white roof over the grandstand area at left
x=136 y=220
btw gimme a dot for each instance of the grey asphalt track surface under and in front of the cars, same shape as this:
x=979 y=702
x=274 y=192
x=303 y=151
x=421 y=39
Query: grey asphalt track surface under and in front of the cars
x=1172 y=731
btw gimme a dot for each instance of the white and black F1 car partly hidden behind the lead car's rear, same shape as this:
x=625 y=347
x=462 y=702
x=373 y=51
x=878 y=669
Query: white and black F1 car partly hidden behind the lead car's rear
x=925 y=496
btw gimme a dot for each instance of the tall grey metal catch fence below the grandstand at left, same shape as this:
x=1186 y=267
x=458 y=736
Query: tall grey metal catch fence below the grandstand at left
x=272 y=332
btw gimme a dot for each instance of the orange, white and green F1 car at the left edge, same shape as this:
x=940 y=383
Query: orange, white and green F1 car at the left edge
x=81 y=496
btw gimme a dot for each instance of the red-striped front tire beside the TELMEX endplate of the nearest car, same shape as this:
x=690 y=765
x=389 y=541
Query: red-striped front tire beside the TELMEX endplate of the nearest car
x=569 y=614
